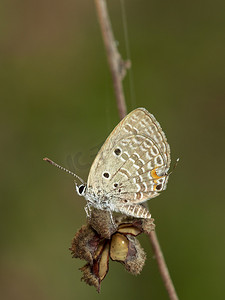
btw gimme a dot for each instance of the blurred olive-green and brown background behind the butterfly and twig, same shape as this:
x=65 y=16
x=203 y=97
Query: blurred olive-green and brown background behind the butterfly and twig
x=57 y=100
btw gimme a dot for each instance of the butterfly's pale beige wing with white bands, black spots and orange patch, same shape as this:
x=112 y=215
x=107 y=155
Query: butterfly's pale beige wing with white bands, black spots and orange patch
x=133 y=162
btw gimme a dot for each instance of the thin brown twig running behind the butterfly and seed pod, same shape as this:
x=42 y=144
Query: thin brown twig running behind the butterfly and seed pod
x=118 y=70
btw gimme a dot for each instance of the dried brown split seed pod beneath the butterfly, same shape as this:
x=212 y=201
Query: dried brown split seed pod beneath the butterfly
x=100 y=240
